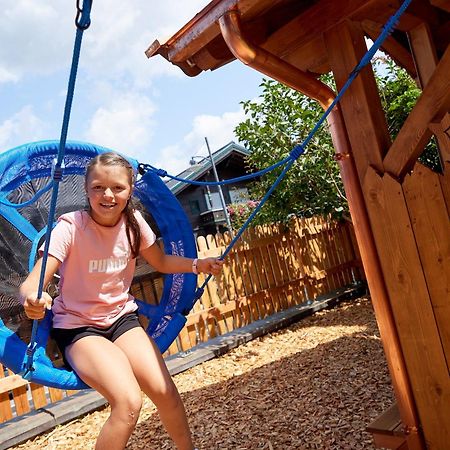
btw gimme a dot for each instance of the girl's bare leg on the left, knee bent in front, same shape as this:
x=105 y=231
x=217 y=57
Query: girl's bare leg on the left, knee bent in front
x=105 y=367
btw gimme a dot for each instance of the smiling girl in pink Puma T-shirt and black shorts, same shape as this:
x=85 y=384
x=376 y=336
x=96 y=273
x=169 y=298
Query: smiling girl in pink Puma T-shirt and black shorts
x=95 y=321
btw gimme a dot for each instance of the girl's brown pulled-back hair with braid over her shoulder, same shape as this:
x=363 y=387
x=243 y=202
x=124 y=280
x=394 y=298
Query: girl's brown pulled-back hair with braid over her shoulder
x=132 y=227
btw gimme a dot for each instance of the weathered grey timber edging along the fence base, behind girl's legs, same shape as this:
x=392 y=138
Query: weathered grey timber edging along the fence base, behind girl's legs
x=28 y=426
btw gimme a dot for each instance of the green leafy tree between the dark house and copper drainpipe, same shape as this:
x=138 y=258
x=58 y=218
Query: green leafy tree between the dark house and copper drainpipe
x=274 y=125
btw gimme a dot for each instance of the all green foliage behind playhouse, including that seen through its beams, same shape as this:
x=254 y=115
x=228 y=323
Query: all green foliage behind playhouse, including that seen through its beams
x=283 y=117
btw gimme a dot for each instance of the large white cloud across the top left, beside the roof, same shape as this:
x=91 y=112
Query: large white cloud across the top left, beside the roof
x=38 y=37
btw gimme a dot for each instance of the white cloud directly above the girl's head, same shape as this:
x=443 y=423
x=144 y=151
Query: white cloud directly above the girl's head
x=124 y=123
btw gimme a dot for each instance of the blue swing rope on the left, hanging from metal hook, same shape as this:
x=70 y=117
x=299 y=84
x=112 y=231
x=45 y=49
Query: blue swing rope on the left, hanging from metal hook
x=82 y=22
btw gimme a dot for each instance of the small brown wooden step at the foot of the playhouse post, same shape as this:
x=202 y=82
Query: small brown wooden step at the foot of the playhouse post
x=387 y=430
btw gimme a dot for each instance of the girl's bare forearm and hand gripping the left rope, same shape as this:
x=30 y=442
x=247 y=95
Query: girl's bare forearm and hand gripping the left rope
x=34 y=307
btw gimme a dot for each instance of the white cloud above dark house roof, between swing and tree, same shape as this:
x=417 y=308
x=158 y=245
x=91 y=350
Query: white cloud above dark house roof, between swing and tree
x=217 y=129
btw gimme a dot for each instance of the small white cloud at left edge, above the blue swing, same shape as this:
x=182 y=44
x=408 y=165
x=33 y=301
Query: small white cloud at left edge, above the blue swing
x=24 y=126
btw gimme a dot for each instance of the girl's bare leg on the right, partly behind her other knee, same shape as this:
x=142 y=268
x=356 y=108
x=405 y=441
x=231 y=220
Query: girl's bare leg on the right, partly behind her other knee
x=152 y=375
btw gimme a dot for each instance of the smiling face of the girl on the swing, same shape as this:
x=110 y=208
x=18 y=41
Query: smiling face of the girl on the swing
x=108 y=189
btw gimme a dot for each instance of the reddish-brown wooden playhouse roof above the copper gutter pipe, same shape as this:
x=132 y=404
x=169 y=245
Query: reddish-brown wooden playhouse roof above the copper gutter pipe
x=293 y=29
